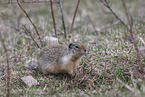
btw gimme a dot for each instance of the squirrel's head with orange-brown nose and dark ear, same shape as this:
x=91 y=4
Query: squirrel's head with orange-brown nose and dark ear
x=77 y=49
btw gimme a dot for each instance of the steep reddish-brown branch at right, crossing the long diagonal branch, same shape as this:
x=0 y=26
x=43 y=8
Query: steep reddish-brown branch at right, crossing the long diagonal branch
x=131 y=32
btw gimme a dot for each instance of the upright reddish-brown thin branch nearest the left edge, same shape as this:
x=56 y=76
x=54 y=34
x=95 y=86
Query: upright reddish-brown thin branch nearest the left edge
x=8 y=69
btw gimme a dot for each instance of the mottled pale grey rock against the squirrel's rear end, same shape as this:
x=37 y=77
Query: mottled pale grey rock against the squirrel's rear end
x=32 y=64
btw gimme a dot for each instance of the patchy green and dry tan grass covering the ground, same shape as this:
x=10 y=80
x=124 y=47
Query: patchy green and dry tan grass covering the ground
x=105 y=70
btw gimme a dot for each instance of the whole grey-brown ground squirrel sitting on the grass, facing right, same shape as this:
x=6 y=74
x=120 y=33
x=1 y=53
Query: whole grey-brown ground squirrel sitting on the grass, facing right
x=59 y=58
